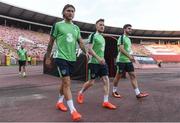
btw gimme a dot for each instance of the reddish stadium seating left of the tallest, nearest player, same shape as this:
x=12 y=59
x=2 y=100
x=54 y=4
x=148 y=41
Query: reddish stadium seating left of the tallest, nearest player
x=35 y=42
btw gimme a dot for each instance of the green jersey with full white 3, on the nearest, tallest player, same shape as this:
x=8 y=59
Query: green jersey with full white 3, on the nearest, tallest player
x=66 y=36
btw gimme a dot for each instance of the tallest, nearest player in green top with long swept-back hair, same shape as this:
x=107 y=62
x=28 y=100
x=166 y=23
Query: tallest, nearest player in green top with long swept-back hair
x=66 y=35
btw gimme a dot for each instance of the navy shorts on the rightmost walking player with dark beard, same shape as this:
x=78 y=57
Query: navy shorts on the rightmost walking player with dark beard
x=124 y=67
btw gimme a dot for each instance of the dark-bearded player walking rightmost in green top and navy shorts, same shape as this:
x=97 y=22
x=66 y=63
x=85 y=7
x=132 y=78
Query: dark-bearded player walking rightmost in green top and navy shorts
x=124 y=63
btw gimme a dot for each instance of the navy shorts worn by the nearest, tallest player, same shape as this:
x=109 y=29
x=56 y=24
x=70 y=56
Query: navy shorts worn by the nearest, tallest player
x=65 y=67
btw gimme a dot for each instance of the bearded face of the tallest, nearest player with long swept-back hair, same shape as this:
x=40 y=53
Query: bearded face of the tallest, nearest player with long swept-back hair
x=69 y=13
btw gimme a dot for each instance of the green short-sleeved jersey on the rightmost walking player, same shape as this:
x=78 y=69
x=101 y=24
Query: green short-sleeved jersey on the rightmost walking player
x=126 y=42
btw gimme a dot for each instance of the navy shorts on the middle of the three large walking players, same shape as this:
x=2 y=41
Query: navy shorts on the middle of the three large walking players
x=97 y=70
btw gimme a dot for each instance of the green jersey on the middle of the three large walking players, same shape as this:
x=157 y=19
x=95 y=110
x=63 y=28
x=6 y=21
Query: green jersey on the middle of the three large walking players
x=98 y=42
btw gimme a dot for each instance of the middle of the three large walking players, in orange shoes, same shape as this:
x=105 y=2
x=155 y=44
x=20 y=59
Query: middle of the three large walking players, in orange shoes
x=97 y=66
